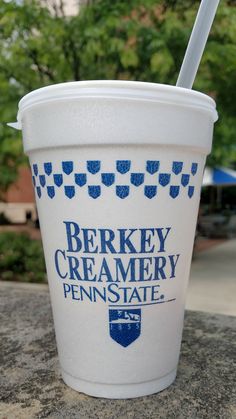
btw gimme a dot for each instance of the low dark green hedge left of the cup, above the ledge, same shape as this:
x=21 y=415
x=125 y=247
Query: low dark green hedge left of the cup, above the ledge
x=21 y=258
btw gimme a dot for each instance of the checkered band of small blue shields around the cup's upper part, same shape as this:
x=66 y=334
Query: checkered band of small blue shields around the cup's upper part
x=176 y=181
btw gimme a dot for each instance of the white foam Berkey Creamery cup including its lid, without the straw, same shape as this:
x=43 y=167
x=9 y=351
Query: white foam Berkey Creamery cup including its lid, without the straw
x=117 y=169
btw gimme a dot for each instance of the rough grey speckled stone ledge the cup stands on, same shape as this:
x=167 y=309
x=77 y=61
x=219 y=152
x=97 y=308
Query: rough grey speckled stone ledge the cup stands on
x=31 y=385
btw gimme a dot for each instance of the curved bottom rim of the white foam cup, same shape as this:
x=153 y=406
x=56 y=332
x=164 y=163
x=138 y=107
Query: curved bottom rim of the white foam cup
x=119 y=391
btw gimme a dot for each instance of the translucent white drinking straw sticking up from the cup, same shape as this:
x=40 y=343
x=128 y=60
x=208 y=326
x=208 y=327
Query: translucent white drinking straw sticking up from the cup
x=197 y=42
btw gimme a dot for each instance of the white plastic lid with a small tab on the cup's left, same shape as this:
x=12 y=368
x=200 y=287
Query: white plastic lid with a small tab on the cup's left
x=117 y=89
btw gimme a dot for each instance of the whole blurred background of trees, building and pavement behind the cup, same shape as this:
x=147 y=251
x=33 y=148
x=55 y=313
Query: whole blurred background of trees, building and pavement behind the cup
x=43 y=42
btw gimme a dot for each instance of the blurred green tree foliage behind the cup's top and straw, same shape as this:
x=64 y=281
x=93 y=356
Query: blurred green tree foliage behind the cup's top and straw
x=135 y=40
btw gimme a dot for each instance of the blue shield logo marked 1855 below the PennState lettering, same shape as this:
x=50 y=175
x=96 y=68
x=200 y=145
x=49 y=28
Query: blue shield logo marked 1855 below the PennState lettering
x=125 y=325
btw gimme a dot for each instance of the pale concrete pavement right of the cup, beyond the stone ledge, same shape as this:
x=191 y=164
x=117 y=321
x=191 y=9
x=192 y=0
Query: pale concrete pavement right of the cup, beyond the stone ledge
x=212 y=285
